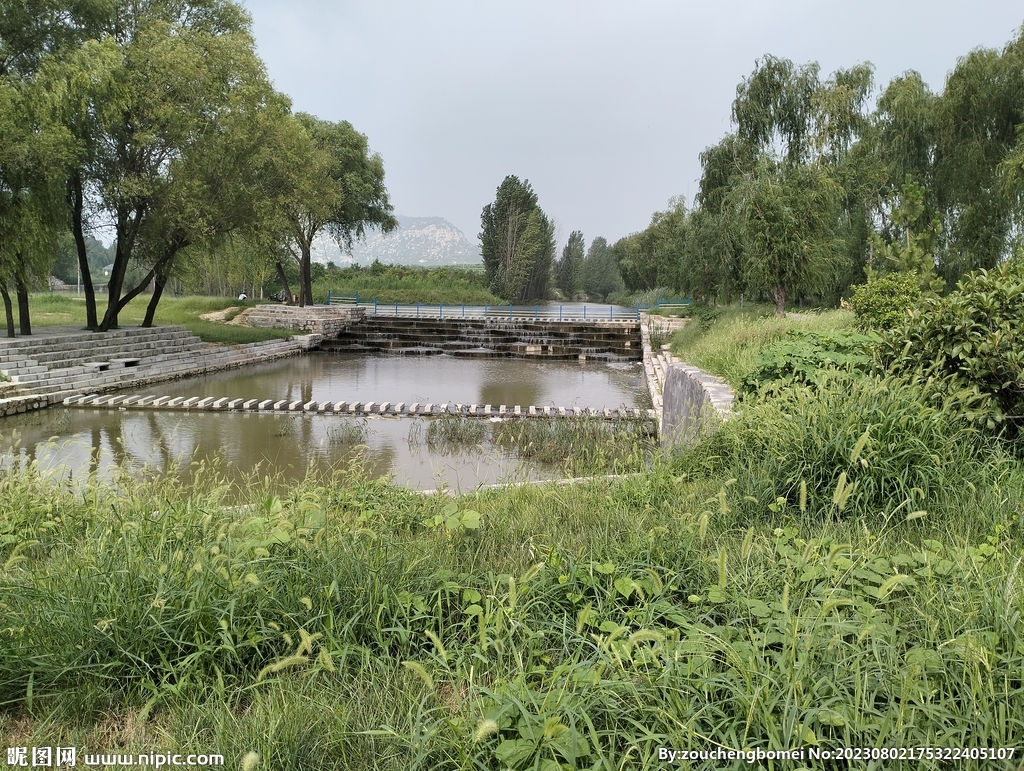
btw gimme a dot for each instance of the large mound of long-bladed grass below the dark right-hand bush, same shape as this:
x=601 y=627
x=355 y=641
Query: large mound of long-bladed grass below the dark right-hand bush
x=854 y=445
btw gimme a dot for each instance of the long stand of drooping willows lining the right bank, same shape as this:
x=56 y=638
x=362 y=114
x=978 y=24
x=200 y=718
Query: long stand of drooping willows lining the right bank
x=815 y=191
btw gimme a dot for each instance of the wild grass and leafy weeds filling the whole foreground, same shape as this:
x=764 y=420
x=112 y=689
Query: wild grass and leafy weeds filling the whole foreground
x=356 y=626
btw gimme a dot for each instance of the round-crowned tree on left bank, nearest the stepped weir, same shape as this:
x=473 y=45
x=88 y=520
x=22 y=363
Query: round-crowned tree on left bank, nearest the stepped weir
x=337 y=188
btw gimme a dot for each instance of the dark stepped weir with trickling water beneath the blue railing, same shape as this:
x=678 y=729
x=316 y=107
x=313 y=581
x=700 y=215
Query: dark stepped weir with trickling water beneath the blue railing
x=618 y=341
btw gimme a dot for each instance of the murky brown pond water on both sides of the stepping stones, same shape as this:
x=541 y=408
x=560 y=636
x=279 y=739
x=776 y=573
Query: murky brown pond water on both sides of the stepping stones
x=79 y=442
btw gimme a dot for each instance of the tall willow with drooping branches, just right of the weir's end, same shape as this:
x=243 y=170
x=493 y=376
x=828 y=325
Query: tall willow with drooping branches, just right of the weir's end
x=796 y=133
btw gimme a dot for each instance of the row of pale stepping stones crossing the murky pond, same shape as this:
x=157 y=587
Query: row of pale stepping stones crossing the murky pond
x=388 y=409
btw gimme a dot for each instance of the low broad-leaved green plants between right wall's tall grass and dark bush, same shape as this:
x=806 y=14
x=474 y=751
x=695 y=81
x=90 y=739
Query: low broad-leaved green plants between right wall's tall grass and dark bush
x=803 y=358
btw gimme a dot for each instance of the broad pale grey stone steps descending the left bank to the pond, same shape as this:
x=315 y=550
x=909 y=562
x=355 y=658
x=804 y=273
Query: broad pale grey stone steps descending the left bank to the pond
x=78 y=361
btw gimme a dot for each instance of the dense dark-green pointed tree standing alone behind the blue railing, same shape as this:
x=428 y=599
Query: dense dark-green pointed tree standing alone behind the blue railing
x=518 y=242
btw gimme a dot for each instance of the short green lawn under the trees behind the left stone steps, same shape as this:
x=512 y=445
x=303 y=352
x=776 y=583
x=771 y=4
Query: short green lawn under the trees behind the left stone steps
x=60 y=310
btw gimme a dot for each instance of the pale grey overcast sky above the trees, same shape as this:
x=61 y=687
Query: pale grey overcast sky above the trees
x=605 y=107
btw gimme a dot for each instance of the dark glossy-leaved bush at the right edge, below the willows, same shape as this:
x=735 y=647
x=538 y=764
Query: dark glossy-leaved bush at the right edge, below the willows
x=967 y=347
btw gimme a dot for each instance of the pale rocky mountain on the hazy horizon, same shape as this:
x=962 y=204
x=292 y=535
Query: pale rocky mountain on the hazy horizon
x=419 y=241
